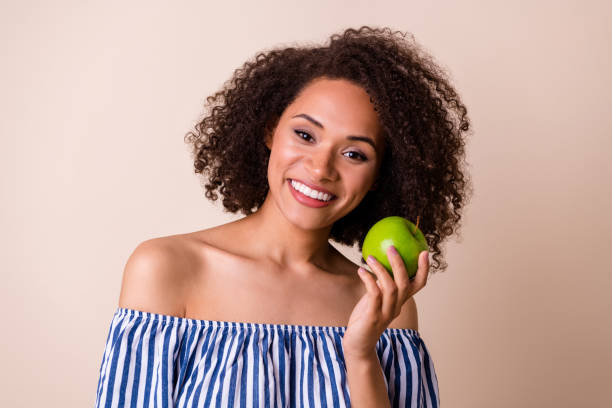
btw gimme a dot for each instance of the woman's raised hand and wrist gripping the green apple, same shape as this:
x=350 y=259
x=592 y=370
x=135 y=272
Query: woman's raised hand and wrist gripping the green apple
x=382 y=302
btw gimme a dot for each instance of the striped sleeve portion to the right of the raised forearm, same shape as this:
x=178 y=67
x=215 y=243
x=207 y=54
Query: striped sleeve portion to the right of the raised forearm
x=409 y=370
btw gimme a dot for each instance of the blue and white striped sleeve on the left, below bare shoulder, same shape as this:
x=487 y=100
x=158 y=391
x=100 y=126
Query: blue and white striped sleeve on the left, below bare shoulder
x=138 y=362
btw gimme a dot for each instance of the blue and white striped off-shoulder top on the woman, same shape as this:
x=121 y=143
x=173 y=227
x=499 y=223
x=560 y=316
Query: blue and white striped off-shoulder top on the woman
x=156 y=360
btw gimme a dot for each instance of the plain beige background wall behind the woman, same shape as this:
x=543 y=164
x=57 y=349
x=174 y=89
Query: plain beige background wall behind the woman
x=96 y=98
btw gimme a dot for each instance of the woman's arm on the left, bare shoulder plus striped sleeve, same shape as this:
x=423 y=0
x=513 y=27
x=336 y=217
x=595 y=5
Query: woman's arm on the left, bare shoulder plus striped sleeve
x=140 y=351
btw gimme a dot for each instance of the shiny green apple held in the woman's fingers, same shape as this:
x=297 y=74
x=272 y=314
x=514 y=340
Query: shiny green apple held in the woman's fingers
x=406 y=237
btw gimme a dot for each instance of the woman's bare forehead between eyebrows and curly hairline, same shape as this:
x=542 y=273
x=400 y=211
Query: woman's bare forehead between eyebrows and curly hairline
x=339 y=105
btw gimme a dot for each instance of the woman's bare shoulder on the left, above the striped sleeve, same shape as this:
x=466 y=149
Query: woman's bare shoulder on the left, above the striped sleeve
x=156 y=276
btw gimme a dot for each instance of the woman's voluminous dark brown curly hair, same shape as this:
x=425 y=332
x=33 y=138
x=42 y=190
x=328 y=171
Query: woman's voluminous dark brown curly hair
x=423 y=122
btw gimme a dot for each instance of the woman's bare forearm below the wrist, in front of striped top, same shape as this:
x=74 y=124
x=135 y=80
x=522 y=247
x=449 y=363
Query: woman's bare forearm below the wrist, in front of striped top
x=366 y=382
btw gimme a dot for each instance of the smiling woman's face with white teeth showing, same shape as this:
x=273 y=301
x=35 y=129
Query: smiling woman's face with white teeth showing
x=327 y=140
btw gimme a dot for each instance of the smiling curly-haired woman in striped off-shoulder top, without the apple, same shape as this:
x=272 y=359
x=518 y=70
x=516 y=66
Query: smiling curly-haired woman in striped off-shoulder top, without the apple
x=311 y=144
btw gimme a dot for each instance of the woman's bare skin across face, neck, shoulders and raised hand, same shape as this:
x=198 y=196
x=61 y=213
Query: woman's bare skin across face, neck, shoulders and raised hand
x=277 y=262
